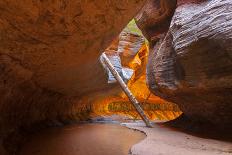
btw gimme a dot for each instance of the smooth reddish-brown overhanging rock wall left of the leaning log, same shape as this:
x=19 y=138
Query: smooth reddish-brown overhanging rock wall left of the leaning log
x=49 y=55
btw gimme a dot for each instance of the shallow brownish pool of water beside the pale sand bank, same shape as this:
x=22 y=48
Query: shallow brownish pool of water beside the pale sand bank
x=83 y=139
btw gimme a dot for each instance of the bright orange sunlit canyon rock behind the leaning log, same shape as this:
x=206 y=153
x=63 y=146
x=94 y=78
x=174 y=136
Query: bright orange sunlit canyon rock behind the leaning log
x=115 y=101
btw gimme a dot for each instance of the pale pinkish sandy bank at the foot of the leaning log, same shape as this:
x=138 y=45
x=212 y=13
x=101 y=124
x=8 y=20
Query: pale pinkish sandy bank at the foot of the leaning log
x=166 y=141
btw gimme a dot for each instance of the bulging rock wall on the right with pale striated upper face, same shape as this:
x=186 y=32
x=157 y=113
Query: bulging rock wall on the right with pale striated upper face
x=191 y=63
